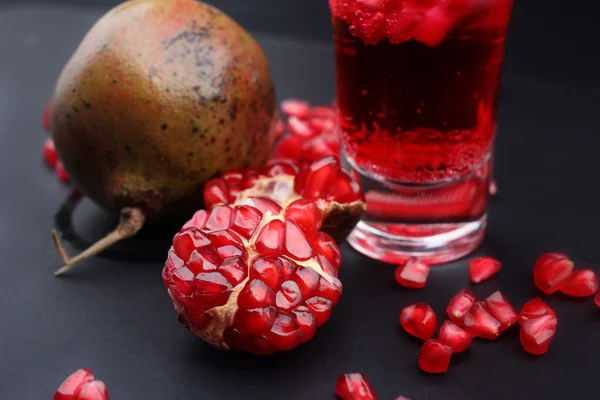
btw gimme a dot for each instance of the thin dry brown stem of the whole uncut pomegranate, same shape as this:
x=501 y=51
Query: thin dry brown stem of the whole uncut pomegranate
x=130 y=223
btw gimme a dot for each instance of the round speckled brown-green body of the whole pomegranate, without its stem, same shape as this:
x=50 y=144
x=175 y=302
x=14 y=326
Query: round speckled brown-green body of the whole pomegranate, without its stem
x=160 y=97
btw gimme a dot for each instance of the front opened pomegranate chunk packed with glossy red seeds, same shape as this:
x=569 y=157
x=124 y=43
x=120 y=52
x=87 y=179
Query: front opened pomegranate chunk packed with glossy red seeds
x=244 y=278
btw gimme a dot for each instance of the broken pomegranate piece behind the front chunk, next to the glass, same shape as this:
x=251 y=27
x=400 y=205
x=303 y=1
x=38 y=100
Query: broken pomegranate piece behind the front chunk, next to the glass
x=337 y=196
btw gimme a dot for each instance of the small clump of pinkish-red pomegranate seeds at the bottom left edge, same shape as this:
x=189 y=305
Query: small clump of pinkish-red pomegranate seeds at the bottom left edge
x=80 y=385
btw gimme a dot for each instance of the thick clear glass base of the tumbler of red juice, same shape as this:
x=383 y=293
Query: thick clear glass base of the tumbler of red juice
x=433 y=244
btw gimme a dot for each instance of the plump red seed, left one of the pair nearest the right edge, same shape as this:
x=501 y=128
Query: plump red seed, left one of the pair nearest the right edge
x=550 y=271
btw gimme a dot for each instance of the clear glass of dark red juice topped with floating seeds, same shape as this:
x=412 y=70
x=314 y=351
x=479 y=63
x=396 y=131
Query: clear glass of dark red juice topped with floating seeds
x=417 y=96
